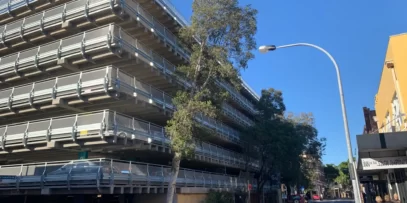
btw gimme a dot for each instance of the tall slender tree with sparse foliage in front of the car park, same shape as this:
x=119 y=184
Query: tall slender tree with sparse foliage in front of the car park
x=221 y=40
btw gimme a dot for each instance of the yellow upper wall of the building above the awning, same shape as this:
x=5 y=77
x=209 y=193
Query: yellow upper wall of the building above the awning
x=396 y=52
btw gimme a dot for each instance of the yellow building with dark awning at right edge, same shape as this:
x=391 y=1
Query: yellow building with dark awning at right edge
x=382 y=160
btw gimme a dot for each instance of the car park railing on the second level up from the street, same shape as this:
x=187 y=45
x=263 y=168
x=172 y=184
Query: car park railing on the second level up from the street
x=102 y=124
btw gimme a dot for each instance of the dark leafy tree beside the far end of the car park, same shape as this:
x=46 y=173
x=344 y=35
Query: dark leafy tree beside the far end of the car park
x=278 y=141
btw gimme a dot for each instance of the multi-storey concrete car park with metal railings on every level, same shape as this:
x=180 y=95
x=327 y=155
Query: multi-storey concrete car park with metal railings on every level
x=95 y=78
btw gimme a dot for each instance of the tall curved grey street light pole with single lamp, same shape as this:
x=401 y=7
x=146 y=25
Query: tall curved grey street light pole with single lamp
x=352 y=166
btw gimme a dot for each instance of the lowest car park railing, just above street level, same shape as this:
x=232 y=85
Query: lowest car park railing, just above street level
x=108 y=173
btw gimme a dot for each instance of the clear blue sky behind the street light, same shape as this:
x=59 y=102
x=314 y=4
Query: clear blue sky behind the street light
x=356 y=33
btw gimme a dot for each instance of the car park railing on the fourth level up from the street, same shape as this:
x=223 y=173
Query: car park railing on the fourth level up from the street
x=81 y=46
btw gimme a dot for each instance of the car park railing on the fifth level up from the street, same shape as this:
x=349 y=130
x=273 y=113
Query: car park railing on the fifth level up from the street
x=76 y=12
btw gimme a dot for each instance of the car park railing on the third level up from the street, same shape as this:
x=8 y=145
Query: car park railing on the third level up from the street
x=95 y=82
